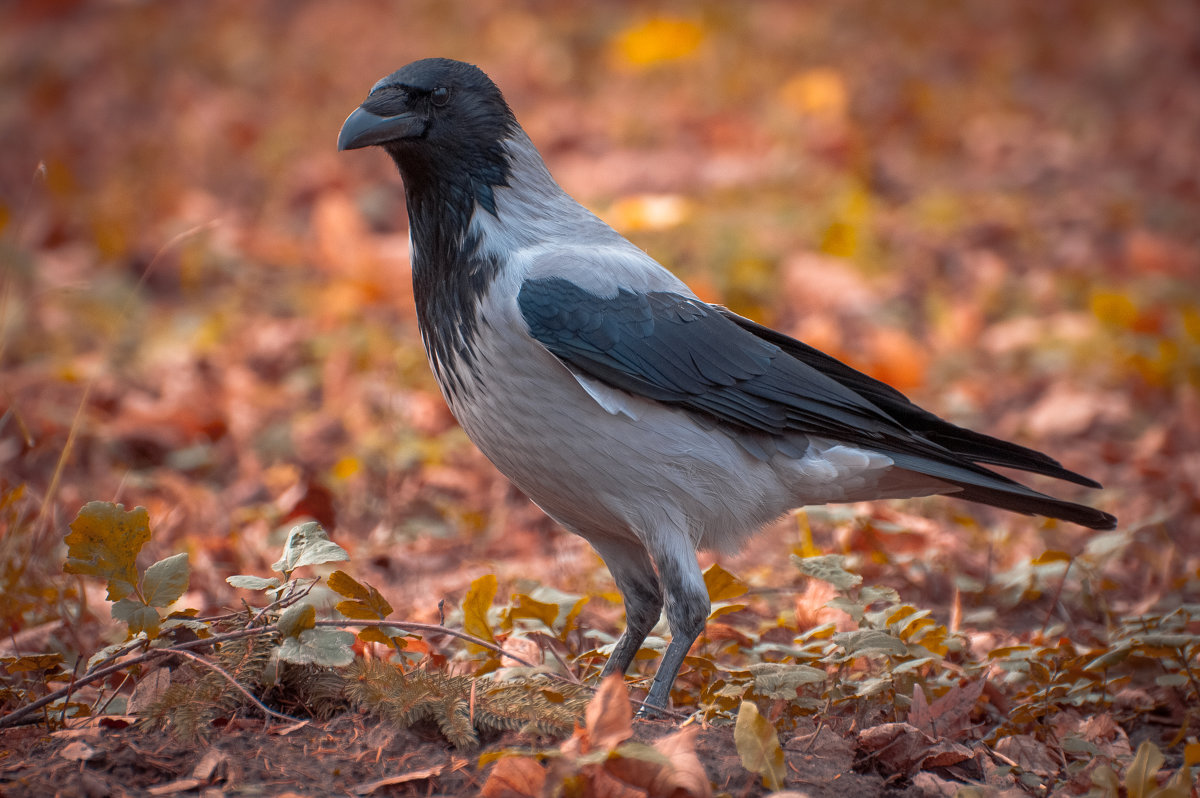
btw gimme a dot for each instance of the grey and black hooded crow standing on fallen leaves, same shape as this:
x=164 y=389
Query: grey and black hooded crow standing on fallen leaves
x=637 y=416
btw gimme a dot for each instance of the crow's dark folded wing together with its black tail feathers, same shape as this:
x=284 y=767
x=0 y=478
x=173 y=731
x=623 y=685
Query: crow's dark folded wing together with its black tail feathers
x=701 y=358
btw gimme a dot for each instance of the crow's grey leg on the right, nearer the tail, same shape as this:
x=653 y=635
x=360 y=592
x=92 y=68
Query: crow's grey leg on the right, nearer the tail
x=688 y=608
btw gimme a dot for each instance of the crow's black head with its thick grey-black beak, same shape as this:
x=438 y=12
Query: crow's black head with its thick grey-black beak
x=439 y=119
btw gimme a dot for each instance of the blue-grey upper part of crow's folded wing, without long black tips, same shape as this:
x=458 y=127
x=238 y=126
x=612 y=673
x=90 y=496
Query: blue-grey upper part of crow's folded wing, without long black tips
x=681 y=351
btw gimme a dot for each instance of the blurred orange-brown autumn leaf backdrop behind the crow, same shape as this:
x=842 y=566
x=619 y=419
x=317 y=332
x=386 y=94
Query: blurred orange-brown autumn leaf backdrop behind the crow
x=206 y=310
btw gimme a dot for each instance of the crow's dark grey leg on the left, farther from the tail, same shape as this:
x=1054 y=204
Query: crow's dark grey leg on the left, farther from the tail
x=639 y=585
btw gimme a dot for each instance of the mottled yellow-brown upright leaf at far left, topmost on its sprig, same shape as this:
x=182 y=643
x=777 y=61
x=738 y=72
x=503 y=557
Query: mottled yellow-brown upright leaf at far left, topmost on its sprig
x=105 y=542
